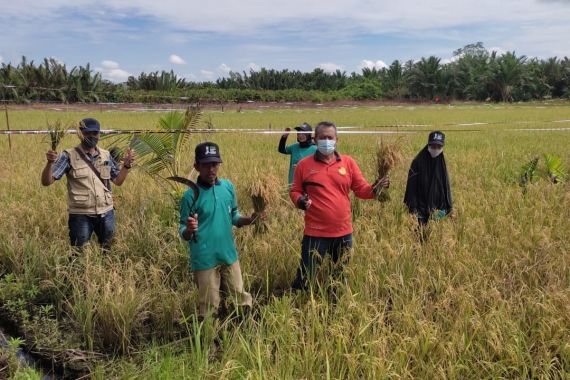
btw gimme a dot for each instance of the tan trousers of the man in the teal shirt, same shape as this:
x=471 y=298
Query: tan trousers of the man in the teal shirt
x=223 y=278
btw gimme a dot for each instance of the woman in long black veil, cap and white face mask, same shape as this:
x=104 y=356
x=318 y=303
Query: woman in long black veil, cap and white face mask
x=428 y=194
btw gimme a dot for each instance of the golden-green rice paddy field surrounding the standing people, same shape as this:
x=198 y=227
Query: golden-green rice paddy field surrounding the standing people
x=486 y=296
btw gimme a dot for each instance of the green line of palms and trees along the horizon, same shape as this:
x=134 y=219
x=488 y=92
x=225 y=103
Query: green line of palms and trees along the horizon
x=473 y=74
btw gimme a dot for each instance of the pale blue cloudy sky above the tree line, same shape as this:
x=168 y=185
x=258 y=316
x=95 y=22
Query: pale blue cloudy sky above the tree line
x=205 y=40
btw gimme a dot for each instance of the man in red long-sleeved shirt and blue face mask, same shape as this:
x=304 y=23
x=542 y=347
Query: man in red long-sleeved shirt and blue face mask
x=321 y=186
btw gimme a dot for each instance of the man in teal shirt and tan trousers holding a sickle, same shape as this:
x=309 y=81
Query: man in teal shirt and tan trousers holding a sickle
x=206 y=220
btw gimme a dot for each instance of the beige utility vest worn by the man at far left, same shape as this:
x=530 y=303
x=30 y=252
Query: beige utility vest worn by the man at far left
x=86 y=194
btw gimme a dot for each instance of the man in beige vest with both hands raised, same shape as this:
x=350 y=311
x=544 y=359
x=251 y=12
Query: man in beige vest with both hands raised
x=89 y=171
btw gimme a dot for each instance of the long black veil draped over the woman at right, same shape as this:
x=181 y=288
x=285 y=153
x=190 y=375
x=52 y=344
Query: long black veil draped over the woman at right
x=428 y=184
